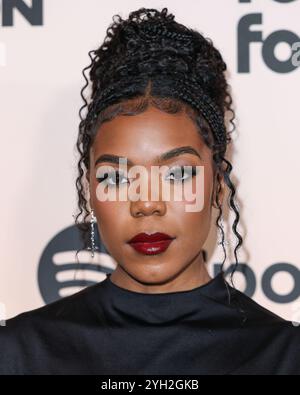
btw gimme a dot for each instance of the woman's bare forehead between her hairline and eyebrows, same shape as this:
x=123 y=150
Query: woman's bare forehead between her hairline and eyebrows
x=144 y=136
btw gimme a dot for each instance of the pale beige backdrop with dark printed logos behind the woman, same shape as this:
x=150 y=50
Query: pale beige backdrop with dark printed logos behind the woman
x=43 y=48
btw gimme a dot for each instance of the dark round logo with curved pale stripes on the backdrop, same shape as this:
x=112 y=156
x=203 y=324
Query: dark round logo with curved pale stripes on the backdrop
x=60 y=274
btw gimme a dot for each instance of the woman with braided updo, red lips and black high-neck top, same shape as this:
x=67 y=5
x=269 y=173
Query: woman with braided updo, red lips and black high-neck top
x=159 y=98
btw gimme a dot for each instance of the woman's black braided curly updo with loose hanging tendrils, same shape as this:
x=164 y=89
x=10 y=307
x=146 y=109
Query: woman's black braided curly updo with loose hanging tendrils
x=150 y=59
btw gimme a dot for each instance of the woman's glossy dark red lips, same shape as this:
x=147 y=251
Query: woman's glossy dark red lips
x=151 y=244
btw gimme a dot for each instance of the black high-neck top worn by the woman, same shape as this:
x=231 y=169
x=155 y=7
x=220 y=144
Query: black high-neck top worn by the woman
x=106 y=329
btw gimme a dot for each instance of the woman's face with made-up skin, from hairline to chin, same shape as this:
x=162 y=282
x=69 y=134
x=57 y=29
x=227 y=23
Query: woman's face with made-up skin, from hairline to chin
x=141 y=139
